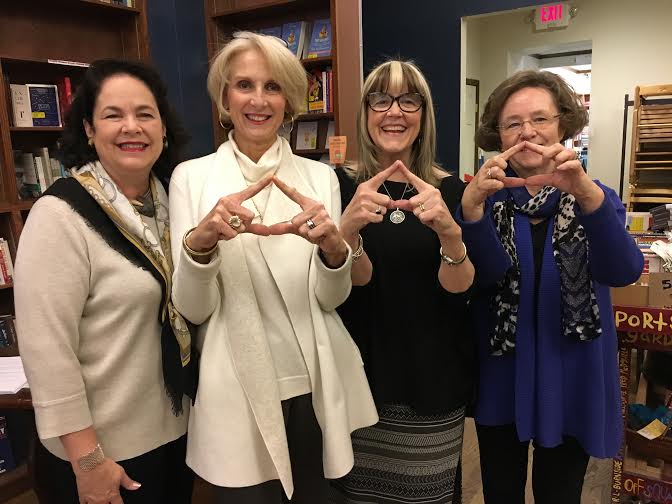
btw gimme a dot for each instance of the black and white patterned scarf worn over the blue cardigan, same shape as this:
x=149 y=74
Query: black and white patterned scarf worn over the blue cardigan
x=580 y=312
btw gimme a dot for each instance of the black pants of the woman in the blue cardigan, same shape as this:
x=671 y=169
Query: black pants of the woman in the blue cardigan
x=557 y=473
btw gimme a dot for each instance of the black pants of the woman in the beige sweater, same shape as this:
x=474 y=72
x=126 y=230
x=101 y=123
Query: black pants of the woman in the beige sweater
x=162 y=472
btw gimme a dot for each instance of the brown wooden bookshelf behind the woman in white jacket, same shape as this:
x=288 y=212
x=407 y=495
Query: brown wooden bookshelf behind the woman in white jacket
x=224 y=17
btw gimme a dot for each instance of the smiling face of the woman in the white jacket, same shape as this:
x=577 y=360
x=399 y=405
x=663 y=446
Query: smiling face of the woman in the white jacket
x=255 y=101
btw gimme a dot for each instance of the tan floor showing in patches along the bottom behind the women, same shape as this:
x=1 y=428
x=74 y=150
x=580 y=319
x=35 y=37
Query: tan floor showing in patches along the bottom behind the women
x=596 y=488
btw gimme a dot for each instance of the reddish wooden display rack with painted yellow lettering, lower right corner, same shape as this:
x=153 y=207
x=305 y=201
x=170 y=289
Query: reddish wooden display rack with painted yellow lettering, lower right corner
x=640 y=328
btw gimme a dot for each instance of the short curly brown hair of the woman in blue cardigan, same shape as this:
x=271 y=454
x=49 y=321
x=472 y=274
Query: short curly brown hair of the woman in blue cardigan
x=573 y=115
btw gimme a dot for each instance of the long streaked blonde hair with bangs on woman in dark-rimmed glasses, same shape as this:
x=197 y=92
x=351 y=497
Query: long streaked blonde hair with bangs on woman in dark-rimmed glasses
x=396 y=74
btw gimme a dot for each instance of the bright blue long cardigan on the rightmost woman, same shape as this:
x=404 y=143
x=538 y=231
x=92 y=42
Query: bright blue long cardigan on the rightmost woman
x=552 y=385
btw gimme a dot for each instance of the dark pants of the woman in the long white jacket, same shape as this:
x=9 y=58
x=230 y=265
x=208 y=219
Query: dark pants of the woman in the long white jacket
x=304 y=437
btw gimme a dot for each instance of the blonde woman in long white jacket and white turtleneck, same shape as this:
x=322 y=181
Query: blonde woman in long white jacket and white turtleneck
x=261 y=268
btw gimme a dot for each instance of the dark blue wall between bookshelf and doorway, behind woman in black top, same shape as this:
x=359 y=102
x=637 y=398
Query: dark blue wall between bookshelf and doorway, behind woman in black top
x=428 y=32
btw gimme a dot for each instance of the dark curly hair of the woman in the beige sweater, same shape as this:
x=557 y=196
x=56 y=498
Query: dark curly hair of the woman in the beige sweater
x=74 y=150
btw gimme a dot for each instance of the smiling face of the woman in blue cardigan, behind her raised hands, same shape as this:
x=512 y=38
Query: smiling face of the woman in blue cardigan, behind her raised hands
x=524 y=106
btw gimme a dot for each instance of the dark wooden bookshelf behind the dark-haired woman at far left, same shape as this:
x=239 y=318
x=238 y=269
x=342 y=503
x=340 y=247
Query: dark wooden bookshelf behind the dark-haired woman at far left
x=42 y=41
